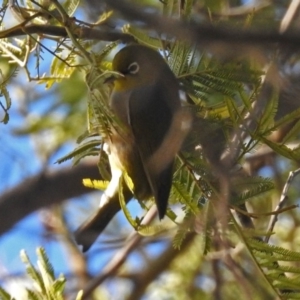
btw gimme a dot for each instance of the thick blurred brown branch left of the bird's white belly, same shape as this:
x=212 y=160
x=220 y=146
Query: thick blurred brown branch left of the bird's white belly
x=43 y=190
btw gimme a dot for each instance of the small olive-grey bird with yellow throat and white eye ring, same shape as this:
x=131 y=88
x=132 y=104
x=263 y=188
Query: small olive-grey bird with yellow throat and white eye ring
x=145 y=99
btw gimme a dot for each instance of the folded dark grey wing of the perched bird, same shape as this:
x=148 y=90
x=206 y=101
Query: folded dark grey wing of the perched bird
x=150 y=119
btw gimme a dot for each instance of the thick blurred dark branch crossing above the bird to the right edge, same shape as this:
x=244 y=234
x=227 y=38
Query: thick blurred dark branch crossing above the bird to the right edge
x=200 y=33
